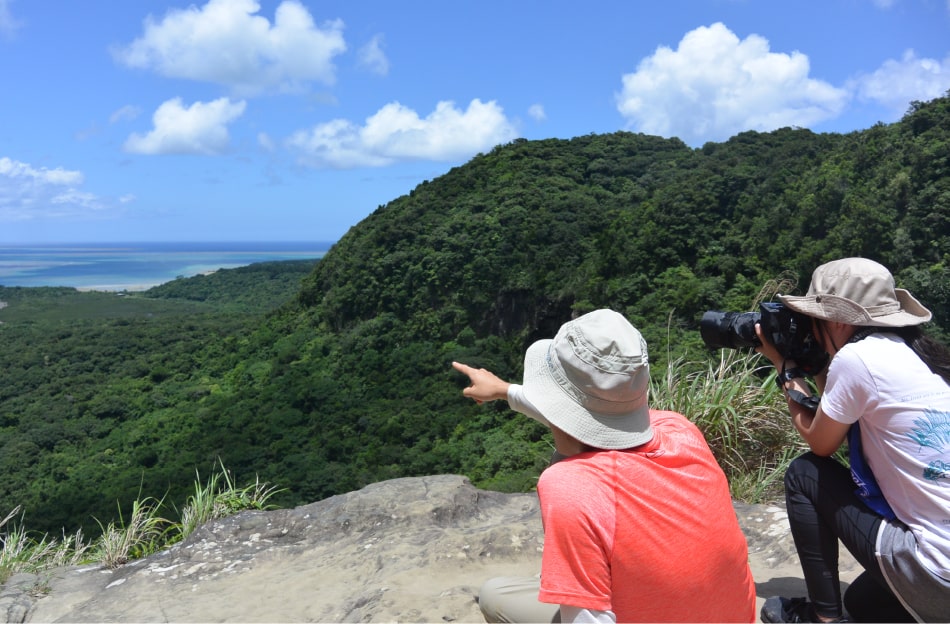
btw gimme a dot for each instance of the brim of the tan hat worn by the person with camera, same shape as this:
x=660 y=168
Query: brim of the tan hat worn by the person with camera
x=842 y=310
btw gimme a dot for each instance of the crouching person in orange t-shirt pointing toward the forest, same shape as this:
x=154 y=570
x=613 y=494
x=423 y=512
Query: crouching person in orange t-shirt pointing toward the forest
x=638 y=519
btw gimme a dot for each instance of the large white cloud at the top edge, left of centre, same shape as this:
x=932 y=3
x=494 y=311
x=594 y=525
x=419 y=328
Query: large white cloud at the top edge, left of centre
x=225 y=43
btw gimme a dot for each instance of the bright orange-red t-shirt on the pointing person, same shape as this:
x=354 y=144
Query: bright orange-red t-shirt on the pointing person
x=649 y=533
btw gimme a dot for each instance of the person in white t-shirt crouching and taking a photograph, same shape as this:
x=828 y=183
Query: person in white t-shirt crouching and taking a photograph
x=886 y=390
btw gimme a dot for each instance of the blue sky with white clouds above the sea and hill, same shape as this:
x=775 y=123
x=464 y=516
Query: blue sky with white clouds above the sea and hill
x=292 y=120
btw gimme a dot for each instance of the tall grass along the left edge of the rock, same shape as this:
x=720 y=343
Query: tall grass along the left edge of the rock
x=144 y=532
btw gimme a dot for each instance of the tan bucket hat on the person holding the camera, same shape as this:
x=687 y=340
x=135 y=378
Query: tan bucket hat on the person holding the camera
x=858 y=291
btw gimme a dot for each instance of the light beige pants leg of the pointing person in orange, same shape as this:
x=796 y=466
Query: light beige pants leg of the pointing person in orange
x=515 y=599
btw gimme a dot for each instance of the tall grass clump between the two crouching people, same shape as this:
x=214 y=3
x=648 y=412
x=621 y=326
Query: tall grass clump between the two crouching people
x=735 y=403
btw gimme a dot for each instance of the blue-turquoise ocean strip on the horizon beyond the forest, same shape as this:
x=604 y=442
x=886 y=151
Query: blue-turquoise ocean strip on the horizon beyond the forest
x=136 y=266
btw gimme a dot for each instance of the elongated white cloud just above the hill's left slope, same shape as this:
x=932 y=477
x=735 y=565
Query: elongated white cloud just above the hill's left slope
x=397 y=133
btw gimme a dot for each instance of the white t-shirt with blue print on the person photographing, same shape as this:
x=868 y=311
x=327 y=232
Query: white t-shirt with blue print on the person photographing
x=904 y=411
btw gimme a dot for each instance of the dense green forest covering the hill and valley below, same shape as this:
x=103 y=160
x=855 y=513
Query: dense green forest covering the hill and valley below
x=340 y=374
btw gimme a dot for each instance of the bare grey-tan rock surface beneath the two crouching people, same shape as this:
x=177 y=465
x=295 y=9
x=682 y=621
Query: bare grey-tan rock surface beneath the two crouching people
x=406 y=550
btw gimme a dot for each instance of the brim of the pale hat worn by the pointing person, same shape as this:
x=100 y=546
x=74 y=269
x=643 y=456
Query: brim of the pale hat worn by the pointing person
x=603 y=431
